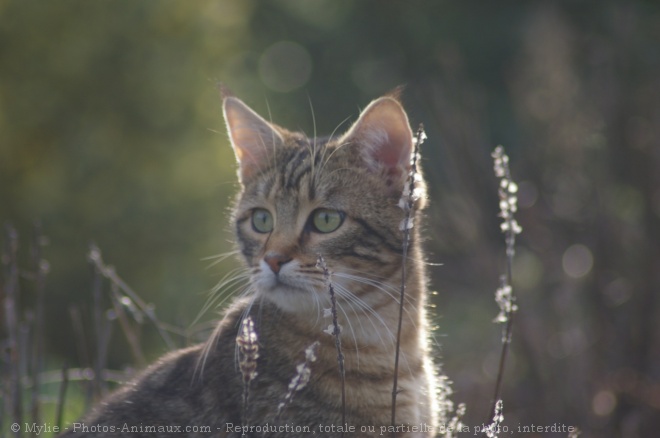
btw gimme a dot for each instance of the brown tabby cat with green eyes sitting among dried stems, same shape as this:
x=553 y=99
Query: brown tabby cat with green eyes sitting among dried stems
x=303 y=198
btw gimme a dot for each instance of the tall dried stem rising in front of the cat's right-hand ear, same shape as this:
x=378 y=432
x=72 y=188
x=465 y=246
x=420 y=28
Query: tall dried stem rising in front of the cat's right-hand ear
x=408 y=206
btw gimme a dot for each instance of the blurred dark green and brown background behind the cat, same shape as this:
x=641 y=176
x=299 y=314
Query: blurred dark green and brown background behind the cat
x=111 y=133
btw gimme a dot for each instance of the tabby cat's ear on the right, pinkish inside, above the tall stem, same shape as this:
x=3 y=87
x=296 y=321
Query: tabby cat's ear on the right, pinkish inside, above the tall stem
x=385 y=139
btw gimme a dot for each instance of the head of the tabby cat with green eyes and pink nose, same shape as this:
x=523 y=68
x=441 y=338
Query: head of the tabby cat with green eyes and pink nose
x=338 y=197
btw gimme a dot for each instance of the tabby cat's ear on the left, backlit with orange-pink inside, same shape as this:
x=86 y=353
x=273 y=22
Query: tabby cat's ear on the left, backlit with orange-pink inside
x=252 y=137
